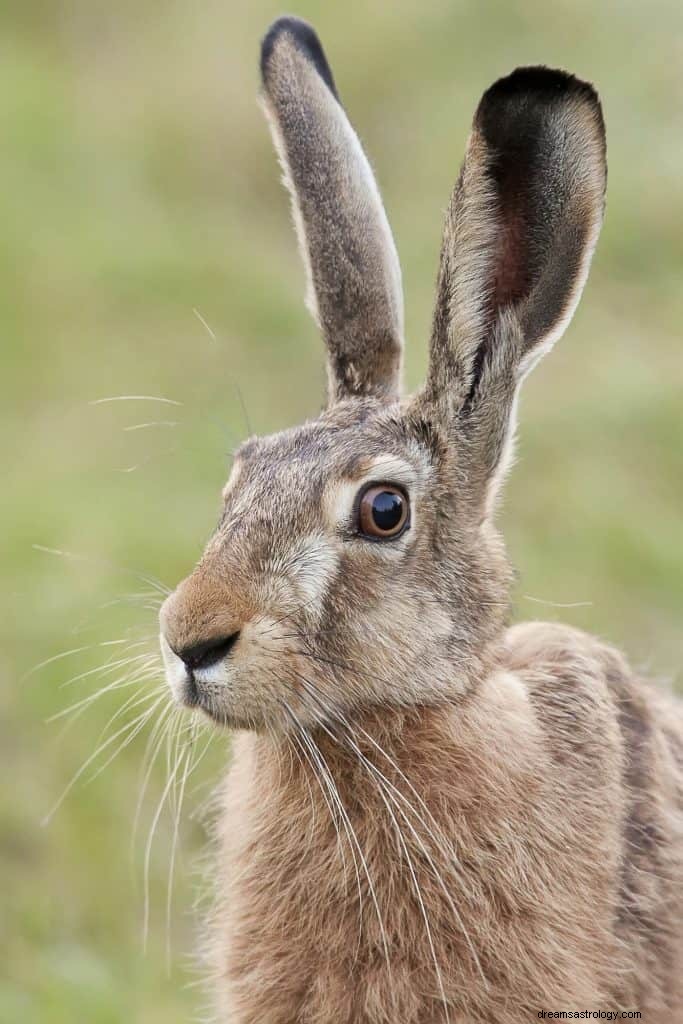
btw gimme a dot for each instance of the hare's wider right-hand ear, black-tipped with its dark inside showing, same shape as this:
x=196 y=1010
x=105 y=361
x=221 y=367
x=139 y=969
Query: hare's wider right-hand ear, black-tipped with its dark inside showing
x=520 y=235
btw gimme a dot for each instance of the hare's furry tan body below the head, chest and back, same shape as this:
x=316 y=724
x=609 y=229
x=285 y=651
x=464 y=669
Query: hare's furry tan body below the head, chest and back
x=558 y=785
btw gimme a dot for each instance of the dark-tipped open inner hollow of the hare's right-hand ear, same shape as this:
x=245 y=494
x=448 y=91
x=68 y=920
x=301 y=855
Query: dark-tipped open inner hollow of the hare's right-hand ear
x=544 y=139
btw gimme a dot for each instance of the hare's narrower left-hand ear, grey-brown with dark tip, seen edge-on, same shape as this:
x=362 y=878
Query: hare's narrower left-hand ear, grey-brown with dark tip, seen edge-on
x=355 y=288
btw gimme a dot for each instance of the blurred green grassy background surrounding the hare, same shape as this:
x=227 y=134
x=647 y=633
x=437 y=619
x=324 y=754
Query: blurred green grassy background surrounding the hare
x=139 y=193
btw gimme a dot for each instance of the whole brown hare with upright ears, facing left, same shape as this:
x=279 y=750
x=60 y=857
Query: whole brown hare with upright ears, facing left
x=431 y=817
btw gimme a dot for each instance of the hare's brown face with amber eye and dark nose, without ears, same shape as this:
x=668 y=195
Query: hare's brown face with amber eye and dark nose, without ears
x=338 y=578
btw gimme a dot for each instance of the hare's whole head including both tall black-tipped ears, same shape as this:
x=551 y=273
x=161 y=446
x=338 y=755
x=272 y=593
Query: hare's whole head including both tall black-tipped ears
x=356 y=564
